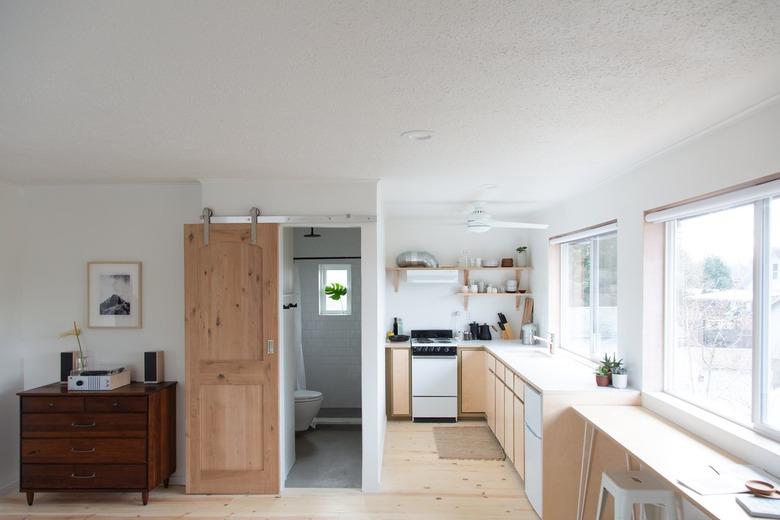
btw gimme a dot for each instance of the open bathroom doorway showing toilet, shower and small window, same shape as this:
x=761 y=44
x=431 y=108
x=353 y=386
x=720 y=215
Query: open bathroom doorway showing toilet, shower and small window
x=321 y=320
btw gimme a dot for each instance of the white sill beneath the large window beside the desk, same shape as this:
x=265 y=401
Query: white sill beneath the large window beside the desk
x=743 y=442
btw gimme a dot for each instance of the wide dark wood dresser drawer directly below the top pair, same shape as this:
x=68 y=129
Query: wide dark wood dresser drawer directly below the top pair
x=83 y=425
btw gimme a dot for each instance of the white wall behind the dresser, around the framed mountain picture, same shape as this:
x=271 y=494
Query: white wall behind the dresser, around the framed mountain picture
x=67 y=226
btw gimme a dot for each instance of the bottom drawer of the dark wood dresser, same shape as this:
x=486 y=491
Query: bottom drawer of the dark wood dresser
x=83 y=476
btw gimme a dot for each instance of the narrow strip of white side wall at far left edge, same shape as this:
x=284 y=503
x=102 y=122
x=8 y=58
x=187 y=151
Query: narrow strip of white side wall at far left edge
x=11 y=368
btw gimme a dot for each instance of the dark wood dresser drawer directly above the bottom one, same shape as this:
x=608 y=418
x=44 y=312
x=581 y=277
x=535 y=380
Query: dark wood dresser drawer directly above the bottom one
x=84 y=451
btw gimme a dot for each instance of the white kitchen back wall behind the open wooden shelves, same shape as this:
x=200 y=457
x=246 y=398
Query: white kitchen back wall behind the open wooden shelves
x=433 y=305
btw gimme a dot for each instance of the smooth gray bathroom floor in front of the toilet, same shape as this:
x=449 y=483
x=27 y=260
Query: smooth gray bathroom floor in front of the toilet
x=327 y=457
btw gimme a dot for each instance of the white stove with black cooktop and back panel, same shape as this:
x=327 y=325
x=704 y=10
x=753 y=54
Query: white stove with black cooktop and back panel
x=434 y=376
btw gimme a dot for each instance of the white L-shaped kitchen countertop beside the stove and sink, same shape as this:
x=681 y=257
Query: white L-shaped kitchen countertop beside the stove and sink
x=557 y=373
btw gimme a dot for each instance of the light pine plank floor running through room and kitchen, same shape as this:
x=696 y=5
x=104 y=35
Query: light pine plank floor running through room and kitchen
x=416 y=484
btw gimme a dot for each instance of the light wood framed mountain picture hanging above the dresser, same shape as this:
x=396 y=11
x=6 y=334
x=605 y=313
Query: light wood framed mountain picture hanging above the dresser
x=114 y=295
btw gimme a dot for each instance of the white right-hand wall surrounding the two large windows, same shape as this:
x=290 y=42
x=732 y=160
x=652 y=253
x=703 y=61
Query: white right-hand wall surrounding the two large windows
x=739 y=150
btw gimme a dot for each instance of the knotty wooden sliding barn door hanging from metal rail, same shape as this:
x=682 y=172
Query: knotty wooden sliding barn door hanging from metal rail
x=231 y=315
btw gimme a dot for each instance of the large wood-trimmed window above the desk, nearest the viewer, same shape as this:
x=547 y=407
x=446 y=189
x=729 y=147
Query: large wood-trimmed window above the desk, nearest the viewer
x=722 y=309
